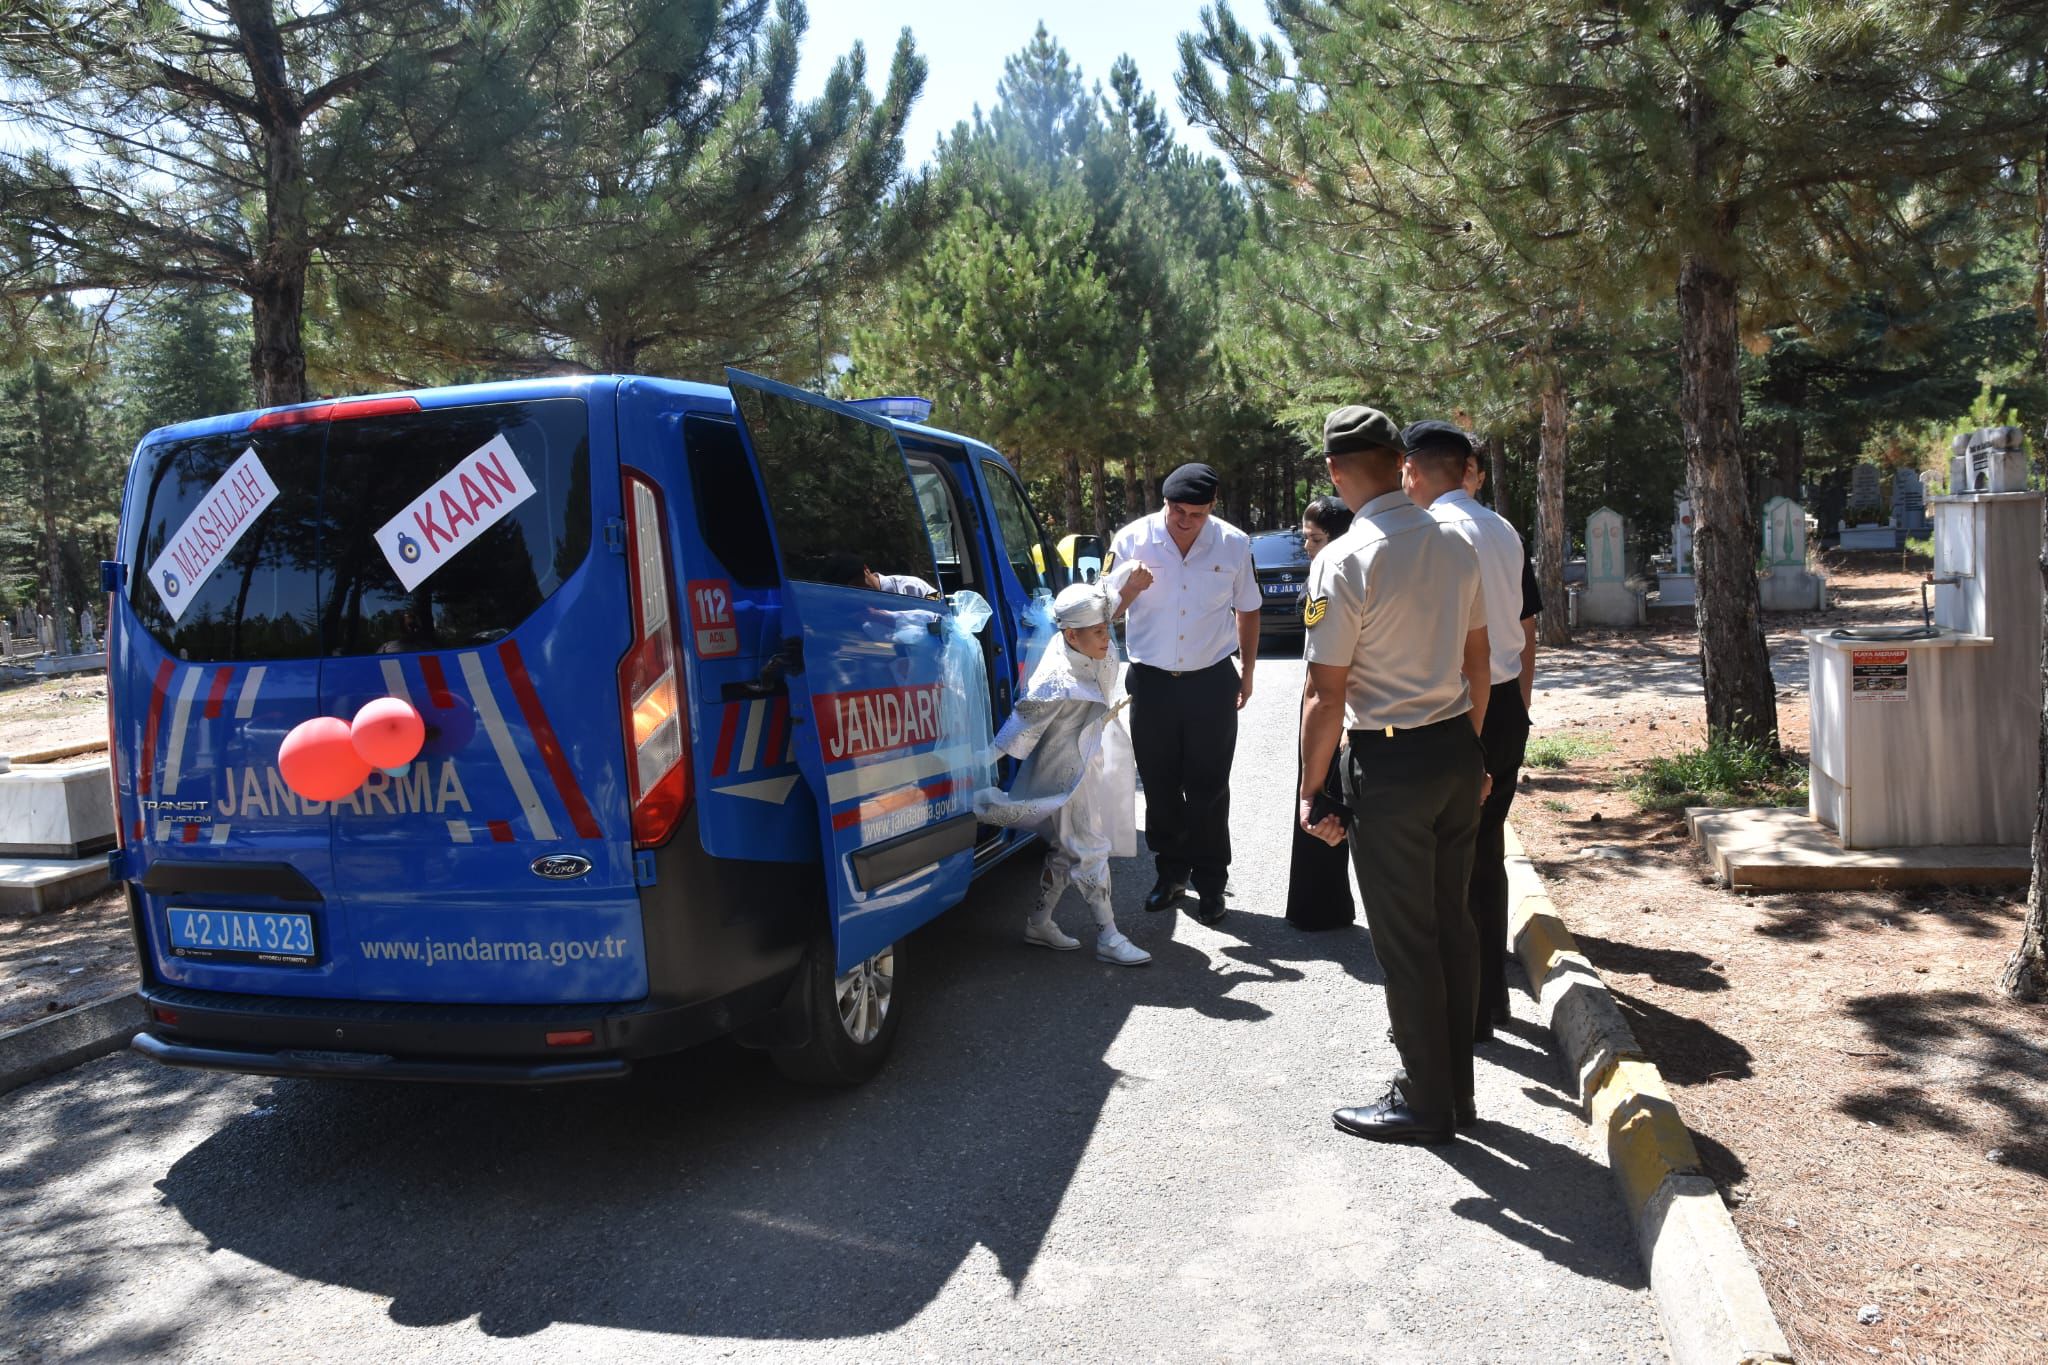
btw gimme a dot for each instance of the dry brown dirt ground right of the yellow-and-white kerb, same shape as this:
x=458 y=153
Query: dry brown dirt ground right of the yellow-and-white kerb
x=1871 y=1106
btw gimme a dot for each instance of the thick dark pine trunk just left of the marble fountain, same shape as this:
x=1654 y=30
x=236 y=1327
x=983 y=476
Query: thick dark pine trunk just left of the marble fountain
x=1742 y=699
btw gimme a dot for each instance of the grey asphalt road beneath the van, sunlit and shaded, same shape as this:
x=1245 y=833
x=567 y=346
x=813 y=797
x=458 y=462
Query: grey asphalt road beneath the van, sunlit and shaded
x=1064 y=1161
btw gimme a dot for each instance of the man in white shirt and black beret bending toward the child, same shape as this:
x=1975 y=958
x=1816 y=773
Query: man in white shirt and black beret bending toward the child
x=1201 y=607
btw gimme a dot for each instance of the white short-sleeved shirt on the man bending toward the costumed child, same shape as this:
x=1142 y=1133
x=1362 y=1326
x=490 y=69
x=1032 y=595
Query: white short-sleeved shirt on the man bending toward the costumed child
x=1187 y=619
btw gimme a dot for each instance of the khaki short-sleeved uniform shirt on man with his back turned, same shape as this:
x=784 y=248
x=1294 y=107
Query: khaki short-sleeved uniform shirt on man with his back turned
x=1394 y=601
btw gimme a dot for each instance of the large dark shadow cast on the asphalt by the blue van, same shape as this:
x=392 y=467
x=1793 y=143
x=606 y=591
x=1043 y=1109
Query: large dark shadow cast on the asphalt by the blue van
x=706 y=1196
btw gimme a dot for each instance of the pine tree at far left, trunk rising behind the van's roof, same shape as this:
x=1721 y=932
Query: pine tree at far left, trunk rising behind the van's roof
x=234 y=146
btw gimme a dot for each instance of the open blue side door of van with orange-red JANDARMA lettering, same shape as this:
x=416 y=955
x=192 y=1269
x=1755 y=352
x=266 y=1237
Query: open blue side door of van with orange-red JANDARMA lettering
x=873 y=742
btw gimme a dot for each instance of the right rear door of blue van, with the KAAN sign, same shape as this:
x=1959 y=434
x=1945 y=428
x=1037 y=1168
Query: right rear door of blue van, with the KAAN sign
x=466 y=578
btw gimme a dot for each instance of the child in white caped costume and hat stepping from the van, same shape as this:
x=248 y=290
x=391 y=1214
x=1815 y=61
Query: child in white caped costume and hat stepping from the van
x=1078 y=779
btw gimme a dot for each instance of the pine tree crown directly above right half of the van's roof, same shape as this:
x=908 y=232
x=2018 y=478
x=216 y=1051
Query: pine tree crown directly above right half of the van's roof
x=673 y=206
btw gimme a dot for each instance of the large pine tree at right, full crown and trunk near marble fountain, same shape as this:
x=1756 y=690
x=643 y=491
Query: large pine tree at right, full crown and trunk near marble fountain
x=1719 y=157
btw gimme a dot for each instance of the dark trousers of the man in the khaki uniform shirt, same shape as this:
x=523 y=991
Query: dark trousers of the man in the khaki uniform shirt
x=1416 y=795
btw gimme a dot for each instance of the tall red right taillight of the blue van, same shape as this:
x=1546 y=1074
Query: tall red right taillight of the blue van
x=650 y=676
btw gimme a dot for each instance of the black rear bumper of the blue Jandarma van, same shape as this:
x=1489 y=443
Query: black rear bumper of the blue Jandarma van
x=490 y=1045
